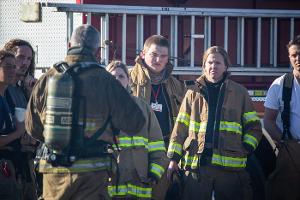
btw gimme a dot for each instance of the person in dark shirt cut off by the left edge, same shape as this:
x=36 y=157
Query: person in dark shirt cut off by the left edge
x=10 y=132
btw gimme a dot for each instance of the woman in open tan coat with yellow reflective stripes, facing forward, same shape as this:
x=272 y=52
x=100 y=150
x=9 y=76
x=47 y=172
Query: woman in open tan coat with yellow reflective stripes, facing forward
x=216 y=129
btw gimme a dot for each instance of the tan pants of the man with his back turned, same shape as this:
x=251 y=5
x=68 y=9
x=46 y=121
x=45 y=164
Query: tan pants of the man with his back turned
x=75 y=186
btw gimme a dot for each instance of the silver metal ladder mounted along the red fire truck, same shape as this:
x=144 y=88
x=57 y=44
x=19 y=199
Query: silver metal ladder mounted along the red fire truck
x=103 y=13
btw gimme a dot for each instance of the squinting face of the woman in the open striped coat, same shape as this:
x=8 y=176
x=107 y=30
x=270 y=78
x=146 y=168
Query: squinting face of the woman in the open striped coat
x=214 y=67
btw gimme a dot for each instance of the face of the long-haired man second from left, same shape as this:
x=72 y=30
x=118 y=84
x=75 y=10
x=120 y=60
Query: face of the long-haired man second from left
x=23 y=60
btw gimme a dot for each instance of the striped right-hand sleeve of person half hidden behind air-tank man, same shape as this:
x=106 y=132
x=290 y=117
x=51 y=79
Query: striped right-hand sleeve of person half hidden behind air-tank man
x=158 y=159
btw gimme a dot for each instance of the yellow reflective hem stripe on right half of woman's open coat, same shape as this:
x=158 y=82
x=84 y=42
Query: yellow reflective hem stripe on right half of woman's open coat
x=226 y=161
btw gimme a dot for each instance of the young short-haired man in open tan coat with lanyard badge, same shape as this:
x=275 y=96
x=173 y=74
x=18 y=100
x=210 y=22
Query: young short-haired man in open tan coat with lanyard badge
x=151 y=80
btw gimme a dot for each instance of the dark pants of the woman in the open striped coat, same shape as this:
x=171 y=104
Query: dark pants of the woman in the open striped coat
x=220 y=183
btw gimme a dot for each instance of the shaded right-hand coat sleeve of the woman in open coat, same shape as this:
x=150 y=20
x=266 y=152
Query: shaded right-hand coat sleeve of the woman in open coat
x=252 y=132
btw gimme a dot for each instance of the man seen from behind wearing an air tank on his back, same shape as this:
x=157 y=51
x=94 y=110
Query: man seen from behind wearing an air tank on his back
x=81 y=96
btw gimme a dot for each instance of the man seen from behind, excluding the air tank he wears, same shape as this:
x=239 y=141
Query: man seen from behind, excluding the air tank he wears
x=105 y=98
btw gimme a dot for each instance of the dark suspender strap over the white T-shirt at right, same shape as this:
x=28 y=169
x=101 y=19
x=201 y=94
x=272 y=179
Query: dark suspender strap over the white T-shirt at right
x=286 y=98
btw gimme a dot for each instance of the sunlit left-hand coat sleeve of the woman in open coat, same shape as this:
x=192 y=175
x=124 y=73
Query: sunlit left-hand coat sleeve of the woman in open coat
x=181 y=129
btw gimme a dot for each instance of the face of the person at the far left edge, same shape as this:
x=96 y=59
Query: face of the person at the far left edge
x=7 y=70
